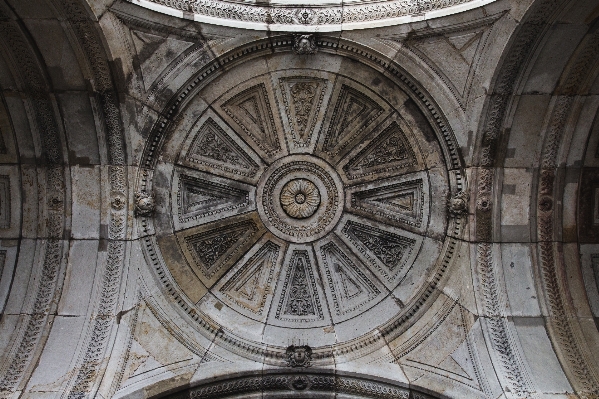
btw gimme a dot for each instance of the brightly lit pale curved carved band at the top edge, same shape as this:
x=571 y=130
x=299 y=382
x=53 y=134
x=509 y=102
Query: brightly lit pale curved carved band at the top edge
x=310 y=15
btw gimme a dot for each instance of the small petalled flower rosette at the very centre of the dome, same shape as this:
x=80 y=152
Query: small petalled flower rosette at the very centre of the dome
x=300 y=198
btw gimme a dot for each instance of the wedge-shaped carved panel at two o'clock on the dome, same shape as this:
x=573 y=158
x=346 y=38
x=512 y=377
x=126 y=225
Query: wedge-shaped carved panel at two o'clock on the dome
x=389 y=151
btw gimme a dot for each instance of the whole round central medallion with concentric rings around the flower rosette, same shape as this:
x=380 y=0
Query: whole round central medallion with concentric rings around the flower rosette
x=300 y=198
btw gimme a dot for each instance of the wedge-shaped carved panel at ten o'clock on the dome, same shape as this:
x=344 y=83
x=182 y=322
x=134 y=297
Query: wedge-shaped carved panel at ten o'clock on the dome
x=213 y=148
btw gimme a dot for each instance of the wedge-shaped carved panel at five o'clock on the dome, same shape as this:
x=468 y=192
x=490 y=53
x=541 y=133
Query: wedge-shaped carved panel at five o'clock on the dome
x=350 y=288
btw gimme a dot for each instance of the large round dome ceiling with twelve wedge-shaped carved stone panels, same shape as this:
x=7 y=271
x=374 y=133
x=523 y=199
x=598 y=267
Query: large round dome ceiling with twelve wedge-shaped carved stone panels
x=304 y=205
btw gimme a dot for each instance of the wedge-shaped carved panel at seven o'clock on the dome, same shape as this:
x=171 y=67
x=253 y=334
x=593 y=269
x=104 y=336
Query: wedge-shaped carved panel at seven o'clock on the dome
x=251 y=284
